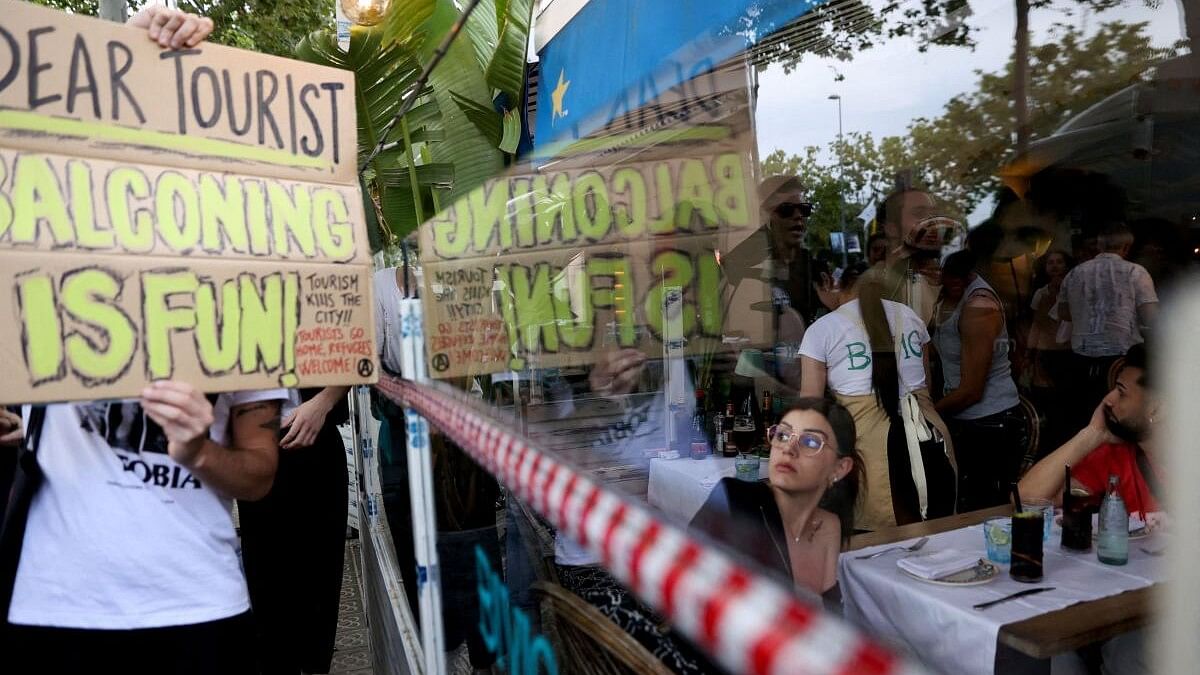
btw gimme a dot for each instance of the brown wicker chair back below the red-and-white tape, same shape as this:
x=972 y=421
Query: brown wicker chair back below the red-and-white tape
x=586 y=642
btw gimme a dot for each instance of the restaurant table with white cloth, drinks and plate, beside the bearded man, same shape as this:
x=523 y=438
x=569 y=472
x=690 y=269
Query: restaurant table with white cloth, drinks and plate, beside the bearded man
x=1037 y=635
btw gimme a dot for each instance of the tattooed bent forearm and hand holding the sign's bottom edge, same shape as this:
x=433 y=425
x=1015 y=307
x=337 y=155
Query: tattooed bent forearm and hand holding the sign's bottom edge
x=244 y=471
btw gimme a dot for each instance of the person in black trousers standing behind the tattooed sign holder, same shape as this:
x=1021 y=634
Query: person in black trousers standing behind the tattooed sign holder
x=295 y=540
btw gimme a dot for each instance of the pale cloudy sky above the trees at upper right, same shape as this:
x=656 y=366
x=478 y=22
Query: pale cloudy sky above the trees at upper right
x=887 y=87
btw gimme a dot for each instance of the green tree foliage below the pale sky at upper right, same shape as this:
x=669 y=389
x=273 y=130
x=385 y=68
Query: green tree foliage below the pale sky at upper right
x=959 y=153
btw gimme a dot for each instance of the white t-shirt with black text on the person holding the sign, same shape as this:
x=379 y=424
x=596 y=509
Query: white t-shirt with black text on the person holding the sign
x=122 y=537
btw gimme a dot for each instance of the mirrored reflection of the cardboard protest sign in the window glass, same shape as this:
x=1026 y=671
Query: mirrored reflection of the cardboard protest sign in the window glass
x=550 y=268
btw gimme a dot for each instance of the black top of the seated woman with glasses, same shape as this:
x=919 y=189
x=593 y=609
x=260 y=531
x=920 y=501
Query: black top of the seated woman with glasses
x=743 y=518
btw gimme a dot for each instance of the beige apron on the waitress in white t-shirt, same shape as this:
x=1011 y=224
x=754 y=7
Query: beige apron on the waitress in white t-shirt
x=873 y=427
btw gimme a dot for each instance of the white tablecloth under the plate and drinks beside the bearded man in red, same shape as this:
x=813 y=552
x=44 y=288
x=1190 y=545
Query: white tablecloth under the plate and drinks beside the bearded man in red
x=939 y=626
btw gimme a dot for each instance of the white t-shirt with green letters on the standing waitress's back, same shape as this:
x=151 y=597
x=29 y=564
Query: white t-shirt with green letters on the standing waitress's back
x=839 y=341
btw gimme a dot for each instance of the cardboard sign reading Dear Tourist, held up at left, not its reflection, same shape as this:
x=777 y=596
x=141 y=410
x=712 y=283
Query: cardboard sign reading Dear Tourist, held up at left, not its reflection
x=189 y=214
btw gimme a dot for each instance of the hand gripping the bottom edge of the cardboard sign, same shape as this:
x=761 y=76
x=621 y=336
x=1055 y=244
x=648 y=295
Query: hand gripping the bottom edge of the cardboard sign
x=184 y=415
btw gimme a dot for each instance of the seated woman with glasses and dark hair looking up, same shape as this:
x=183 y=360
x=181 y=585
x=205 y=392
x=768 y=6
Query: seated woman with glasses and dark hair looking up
x=799 y=521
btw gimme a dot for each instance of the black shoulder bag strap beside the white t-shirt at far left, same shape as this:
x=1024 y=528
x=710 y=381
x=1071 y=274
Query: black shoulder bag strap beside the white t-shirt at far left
x=27 y=480
